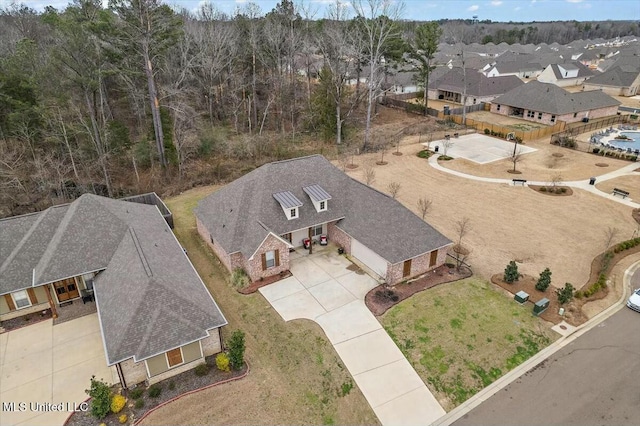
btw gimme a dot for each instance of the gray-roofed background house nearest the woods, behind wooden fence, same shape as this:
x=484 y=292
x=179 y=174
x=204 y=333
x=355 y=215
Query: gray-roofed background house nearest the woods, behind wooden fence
x=450 y=86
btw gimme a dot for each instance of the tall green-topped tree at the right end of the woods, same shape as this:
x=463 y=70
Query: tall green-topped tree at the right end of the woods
x=422 y=49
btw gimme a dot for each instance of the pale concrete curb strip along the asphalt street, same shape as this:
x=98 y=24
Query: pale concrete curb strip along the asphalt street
x=541 y=356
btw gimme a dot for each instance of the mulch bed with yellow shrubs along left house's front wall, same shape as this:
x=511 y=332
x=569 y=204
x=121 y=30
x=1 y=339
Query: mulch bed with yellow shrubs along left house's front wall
x=173 y=387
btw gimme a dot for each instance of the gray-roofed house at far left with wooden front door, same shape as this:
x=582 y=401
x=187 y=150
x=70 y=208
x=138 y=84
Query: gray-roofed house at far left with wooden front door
x=156 y=316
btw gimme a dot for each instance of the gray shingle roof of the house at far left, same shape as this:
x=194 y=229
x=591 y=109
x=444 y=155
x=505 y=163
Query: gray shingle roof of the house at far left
x=150 y=298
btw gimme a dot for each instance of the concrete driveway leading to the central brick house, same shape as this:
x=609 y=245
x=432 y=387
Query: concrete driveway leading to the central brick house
x=325 y=290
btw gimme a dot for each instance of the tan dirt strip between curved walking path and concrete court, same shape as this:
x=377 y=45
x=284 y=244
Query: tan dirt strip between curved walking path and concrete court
x=543 y=164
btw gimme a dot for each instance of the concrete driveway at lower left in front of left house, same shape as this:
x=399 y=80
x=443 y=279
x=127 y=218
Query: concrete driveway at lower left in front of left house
x=47 y=364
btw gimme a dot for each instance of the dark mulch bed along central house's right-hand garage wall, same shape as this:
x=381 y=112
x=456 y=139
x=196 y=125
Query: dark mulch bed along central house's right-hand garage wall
x=383 y=297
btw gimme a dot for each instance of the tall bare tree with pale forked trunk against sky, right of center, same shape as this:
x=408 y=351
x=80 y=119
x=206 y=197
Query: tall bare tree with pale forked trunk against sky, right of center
x=378 y=21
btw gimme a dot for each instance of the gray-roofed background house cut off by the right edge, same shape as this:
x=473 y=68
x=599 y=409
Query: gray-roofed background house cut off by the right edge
x=621 y=79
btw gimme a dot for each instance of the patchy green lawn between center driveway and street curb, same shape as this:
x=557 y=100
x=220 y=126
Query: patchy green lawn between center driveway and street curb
x=460 y=337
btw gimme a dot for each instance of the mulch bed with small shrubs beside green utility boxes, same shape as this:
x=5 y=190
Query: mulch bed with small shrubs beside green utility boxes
x=573 y=310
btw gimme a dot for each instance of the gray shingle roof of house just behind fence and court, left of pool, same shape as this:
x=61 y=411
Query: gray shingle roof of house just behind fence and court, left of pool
x=549 y=98
